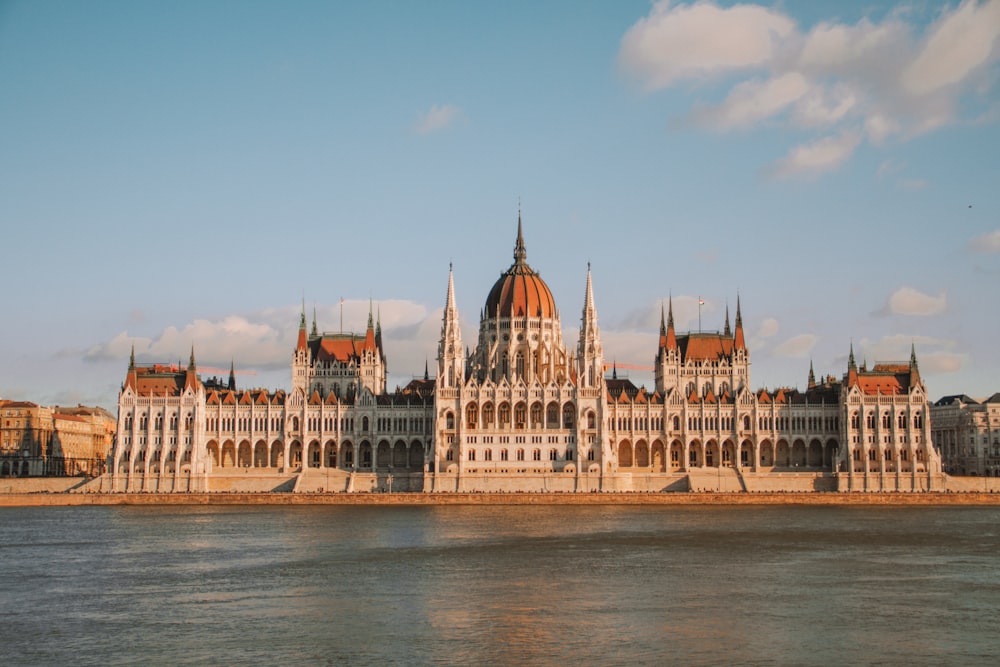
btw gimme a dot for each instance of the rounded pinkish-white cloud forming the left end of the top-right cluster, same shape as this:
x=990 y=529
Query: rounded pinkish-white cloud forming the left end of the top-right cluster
x=700 y=40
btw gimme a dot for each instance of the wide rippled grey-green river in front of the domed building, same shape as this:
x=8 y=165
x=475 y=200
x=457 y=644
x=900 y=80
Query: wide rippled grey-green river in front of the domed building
x=511 y=585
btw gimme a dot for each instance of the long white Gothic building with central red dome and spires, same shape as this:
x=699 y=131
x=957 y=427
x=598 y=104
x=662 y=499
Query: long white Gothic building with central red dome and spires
x=520 y=410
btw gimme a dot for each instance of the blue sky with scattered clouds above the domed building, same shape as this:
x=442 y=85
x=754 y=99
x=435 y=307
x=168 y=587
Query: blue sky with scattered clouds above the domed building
x=187 y=172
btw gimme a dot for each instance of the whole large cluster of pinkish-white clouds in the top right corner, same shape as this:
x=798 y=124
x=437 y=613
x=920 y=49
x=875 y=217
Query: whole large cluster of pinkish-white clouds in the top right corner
x=896 y=77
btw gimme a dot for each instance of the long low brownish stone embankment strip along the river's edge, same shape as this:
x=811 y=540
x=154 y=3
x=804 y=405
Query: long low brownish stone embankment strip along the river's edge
x=820 y=499
